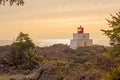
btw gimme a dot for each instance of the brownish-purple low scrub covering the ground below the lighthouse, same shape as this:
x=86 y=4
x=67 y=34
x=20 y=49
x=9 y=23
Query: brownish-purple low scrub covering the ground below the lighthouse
x=59 y=62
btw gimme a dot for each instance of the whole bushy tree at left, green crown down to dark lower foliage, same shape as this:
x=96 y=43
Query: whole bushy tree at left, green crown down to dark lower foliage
x=23 y=52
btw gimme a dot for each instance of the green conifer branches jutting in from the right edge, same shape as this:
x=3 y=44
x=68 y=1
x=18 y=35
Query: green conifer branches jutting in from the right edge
x=114 y=34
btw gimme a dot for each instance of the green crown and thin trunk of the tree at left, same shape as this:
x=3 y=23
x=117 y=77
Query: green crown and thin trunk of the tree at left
x=23 y=43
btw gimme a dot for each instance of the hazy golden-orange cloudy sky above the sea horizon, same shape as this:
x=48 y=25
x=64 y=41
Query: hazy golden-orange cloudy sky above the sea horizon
x=57 y=19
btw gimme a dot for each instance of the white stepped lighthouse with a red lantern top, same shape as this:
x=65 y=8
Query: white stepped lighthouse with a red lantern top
x=80 y=39
